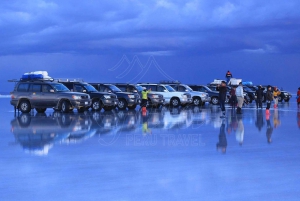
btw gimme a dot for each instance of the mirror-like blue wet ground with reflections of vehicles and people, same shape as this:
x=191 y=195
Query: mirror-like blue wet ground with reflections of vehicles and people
x=167 y=154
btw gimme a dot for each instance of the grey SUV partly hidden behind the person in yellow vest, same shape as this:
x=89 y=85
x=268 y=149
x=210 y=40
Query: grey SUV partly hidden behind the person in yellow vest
x=154 y=99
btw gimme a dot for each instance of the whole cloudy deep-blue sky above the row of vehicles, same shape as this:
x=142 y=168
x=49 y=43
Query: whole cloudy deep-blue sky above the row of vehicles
x=193 y=41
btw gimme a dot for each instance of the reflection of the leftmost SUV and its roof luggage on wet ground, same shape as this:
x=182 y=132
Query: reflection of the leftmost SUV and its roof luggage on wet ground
x=37 y=134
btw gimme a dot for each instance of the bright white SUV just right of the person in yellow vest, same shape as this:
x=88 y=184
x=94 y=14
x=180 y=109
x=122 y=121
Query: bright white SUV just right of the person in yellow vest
x=171 y=96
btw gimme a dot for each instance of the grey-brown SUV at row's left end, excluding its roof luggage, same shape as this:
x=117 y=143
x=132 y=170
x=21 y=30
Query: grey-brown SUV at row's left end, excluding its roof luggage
x=41 y=95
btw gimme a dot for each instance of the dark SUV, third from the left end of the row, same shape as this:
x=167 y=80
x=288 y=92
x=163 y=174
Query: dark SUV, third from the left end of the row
x=126 y=99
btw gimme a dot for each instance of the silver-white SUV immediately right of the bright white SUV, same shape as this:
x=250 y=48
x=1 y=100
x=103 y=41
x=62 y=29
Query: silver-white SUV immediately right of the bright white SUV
x=199 y=98
